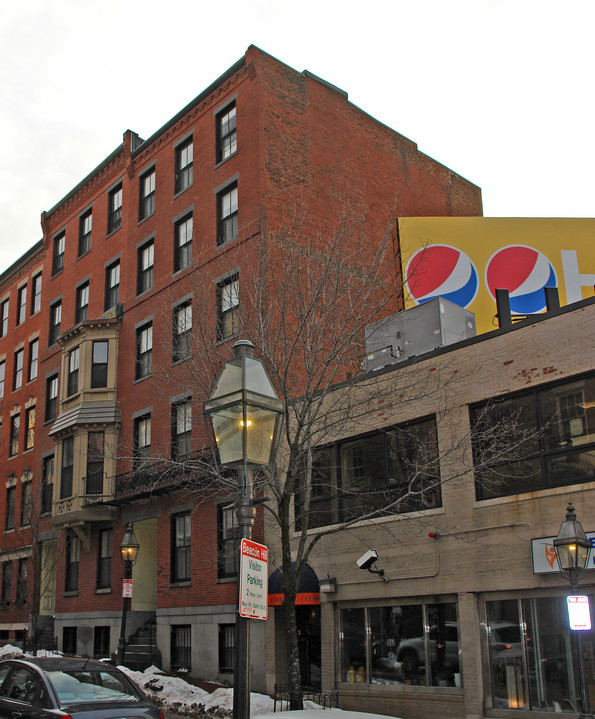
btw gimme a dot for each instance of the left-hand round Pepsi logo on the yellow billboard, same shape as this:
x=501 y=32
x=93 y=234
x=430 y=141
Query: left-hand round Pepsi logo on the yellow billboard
x=442 y=271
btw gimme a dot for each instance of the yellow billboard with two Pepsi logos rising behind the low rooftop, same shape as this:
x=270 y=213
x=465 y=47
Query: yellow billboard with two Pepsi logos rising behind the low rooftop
x=465 y=259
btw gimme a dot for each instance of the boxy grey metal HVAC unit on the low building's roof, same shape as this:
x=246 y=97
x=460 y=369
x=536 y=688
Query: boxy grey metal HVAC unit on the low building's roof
x=420 y=329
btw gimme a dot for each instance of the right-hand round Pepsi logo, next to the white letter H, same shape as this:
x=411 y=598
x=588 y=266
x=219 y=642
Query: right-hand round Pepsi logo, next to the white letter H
x=524 y=272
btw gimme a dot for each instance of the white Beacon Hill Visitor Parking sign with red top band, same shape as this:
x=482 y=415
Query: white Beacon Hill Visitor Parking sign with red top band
x=254 y=587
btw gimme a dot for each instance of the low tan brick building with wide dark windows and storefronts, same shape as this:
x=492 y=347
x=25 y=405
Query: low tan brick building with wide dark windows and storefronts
x=494 y=435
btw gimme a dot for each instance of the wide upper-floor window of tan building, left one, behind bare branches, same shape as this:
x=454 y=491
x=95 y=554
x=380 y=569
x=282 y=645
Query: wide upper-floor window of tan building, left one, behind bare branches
x=384 y=473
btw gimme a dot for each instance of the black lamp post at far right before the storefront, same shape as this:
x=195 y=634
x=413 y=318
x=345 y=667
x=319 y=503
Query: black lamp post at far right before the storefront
x=572 y=550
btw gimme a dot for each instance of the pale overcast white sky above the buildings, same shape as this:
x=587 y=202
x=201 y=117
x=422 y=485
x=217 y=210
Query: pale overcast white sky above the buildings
x=501 y=91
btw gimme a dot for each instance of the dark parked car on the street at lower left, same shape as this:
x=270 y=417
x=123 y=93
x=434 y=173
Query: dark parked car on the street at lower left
x=46 y=687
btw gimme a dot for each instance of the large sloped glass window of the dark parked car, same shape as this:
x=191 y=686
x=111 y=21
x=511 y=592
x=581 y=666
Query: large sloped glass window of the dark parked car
x=91 y=686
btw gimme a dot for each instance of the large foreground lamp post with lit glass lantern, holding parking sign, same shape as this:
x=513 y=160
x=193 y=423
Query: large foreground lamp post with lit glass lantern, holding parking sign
x=245 y=414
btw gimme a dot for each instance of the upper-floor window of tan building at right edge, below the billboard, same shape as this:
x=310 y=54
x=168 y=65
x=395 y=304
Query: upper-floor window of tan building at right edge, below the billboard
x=534 y=440
